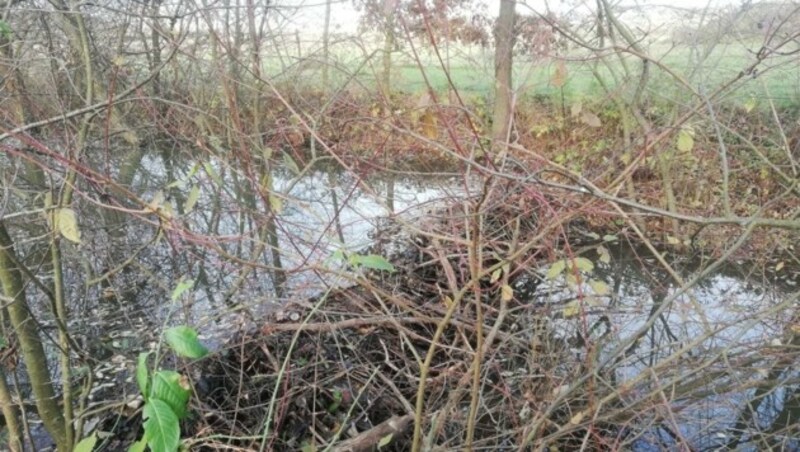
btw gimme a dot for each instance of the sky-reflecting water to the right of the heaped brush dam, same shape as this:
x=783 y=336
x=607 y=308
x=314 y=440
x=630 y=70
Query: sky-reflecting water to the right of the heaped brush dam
x=718 y=370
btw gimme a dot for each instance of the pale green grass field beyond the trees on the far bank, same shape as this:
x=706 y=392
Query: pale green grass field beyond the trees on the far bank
x=471 y=71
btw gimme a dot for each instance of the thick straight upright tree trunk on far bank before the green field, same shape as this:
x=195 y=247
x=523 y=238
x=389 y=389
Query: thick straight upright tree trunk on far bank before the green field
x=503 y=60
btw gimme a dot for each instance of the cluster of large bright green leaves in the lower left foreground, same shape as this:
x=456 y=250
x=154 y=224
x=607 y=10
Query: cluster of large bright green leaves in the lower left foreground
x=166 y=393
